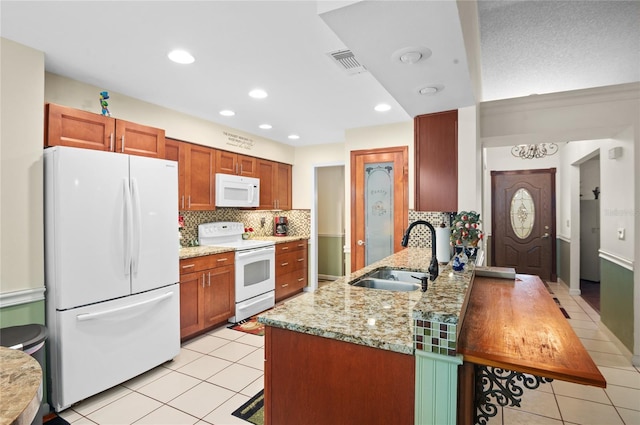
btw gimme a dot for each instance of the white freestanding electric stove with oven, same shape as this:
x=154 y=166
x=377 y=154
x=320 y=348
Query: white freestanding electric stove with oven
x=255 y=281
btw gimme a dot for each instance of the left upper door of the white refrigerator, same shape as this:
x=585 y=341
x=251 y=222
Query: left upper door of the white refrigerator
x=86 y=238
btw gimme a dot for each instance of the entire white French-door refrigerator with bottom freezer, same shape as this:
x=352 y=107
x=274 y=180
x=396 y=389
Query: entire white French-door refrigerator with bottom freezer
x=111 y=269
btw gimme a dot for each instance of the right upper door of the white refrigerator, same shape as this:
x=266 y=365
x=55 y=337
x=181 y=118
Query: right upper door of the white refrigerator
x=155 y=248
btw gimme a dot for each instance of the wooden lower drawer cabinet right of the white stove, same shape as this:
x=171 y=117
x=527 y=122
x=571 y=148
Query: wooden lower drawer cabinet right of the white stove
x=291 y=268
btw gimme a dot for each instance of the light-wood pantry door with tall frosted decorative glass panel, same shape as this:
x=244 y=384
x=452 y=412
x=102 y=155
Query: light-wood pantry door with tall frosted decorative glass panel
x=379 y=203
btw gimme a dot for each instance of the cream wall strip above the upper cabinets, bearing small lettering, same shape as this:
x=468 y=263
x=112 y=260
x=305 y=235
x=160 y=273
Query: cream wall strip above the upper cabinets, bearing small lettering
x=177 y=125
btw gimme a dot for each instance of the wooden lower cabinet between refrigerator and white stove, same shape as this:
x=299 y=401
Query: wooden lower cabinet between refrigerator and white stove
x=207 y=293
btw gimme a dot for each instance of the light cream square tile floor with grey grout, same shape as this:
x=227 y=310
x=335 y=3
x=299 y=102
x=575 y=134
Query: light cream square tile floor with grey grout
x=219 y=371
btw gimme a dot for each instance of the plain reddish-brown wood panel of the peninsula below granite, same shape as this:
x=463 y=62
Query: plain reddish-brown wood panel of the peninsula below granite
x=314 y=380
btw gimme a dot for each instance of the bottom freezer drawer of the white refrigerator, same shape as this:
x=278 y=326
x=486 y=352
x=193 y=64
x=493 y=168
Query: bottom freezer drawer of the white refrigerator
x=96 y=347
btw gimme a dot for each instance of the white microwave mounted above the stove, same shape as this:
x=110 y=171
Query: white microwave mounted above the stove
x=237 y=191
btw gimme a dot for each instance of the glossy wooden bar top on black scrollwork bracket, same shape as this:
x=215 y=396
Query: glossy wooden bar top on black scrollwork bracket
x=516 y=325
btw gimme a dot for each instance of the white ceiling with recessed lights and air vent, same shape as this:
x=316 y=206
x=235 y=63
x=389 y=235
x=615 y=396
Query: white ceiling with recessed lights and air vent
x=281 y=46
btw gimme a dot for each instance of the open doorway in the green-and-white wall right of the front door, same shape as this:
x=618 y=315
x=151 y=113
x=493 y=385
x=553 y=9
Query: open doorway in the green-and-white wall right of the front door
x=590 y=232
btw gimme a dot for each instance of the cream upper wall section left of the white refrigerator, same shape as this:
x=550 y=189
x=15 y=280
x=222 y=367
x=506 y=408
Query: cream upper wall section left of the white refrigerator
x=21 y=185
